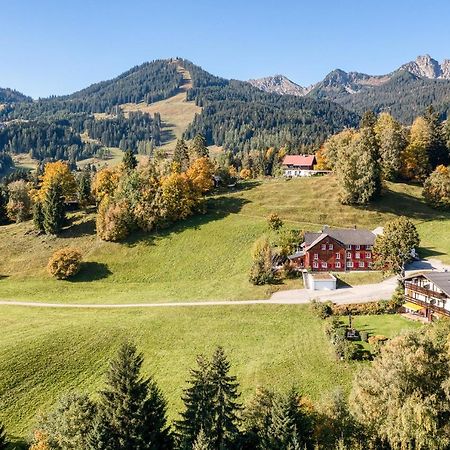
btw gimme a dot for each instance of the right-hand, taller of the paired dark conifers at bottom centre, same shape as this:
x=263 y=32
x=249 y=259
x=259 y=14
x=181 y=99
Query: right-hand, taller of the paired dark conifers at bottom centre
x=225 y=405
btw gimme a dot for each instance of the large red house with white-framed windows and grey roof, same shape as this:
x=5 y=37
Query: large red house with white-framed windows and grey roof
x=335 y=249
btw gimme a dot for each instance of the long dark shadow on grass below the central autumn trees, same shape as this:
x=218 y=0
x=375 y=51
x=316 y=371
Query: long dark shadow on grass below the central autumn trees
x=217 y=208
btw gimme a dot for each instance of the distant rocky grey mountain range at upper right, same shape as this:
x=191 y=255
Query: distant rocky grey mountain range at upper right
x=405 y=92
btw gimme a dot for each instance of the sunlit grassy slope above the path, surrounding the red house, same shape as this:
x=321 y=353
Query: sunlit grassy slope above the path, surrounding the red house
x=206 y=257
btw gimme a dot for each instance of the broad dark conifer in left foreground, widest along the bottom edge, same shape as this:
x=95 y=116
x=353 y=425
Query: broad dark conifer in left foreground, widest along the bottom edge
x=132 y=409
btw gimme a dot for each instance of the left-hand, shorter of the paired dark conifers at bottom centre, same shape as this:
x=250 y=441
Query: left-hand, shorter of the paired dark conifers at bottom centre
x=198 y=406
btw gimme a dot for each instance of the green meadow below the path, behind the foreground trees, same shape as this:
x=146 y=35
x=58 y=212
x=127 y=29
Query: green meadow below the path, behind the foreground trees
x=45 y=353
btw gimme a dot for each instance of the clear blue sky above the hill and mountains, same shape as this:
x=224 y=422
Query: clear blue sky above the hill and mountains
x=57 y=47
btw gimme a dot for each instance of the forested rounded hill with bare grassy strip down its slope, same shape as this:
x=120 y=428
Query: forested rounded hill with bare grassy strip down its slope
x=231 y=114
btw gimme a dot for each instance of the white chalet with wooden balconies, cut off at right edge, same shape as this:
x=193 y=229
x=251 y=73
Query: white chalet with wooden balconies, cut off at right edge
x=428 y=294
